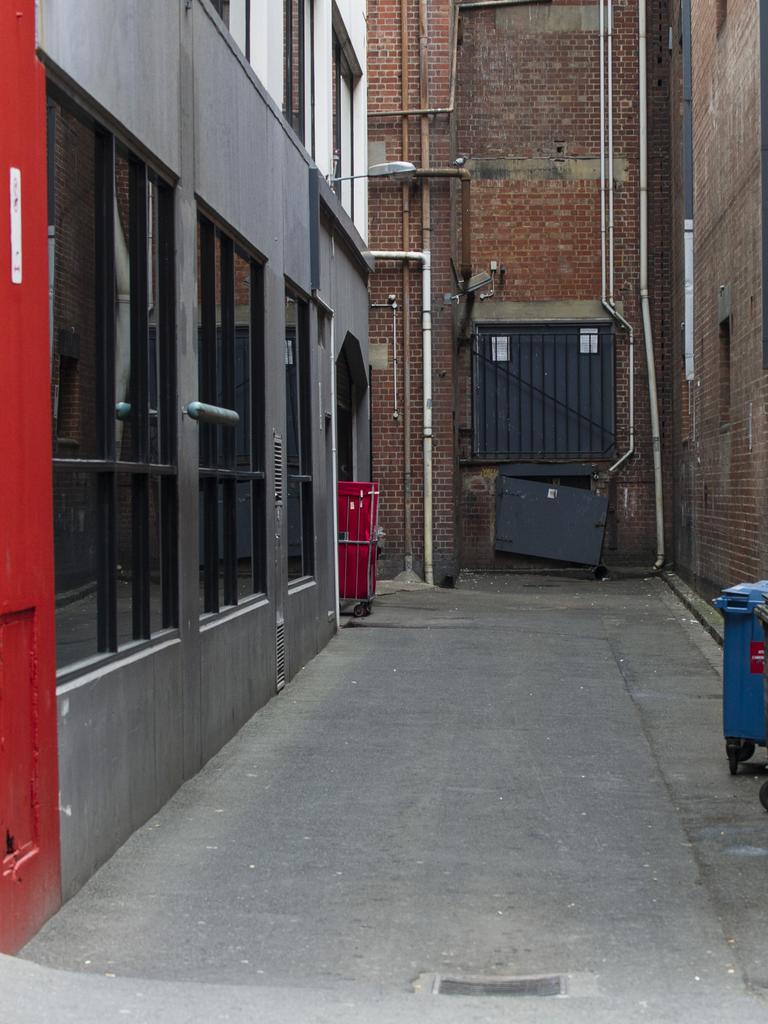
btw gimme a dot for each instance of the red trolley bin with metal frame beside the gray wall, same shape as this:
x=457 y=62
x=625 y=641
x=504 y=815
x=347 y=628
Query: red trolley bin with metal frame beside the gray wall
x=359 y=534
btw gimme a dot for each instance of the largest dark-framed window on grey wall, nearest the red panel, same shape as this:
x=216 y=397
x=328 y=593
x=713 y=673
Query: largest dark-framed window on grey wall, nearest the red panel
x=113 y=388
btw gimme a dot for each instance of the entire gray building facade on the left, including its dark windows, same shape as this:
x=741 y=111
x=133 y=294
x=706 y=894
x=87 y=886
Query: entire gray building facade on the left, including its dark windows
x=209 y=263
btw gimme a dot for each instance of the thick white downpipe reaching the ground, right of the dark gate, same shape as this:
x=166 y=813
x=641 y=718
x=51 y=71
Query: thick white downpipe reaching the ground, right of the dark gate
x=653 y=394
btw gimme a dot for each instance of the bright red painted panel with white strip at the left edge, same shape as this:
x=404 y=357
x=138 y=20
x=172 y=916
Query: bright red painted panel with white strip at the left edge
x=30 y=889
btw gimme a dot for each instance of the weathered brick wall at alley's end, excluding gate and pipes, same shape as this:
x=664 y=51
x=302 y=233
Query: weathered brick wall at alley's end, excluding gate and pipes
x=527 y=118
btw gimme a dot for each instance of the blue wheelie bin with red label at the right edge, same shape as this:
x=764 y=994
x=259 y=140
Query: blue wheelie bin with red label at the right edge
x=744 y=647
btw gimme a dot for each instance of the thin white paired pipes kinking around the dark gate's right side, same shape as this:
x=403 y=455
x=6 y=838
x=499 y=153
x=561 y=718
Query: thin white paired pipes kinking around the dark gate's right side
x=611 y=307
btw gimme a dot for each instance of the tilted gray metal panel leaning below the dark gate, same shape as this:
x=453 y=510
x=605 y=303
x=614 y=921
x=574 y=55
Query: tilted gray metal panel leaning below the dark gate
x=549 y=522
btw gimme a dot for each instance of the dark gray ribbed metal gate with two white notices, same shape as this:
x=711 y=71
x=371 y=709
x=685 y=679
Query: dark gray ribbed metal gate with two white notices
x=543 y=392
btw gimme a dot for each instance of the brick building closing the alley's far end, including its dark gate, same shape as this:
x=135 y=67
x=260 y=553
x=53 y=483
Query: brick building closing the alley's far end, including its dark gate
x=531 y=371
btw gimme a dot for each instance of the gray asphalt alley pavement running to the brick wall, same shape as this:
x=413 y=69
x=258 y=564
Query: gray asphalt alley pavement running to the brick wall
x=525 y=777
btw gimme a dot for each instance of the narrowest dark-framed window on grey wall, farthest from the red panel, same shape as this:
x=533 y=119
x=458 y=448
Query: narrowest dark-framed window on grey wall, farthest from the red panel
x=301 y=523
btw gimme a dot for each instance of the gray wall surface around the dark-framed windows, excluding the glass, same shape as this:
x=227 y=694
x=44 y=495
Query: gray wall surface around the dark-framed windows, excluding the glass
x=170 y=83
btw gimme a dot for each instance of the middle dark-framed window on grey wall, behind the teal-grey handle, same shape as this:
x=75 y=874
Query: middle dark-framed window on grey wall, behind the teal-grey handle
x=232 y=459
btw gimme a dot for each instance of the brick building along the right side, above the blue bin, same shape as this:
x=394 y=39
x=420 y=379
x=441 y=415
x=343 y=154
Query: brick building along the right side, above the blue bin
x=719 y=364
